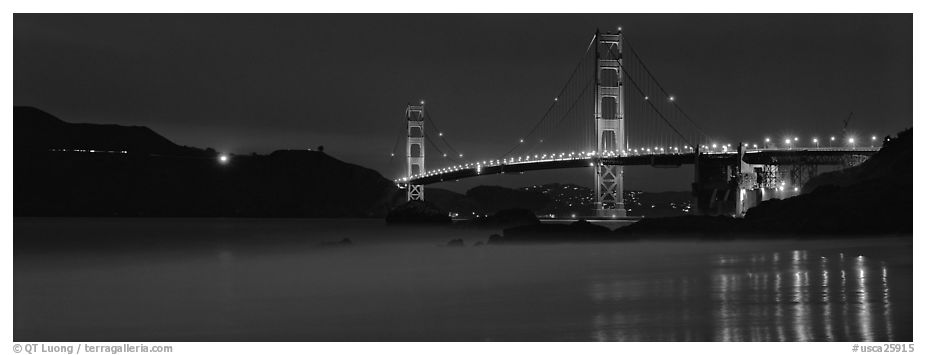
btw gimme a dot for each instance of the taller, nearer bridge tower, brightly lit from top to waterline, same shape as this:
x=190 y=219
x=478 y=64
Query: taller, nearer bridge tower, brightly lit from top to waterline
x=609 y=122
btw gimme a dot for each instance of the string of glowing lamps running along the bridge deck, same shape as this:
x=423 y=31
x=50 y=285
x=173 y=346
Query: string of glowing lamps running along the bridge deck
x=790 y=142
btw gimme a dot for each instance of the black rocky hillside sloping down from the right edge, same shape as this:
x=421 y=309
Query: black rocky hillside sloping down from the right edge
x=875 y=197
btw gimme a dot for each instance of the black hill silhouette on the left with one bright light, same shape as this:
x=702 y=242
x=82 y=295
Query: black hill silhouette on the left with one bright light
x=160 y=178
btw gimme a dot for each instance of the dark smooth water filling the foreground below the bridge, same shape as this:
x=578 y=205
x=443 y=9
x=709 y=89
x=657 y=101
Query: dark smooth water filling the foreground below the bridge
x=397 y=284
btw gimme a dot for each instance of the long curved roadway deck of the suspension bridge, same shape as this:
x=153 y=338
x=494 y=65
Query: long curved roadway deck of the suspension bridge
x=816 y=156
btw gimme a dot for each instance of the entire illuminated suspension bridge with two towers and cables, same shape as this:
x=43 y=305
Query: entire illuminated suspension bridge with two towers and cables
x=613 y=112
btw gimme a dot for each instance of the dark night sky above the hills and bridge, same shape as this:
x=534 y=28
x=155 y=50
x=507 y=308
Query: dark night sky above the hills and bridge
x=257 y=83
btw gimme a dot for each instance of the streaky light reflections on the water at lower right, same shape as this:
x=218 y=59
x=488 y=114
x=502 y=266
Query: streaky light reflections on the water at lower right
x=759 y=297
